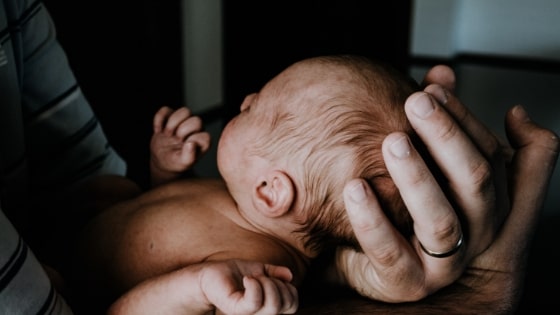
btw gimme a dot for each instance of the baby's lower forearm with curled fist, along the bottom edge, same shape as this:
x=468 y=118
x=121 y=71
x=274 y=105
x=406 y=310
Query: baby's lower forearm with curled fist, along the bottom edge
x=230 y=287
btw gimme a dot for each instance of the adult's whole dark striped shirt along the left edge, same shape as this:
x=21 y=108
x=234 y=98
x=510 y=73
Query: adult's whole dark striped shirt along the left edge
x=50 y=139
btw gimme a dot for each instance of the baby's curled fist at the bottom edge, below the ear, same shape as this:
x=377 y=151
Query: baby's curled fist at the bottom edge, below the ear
x=249 y=287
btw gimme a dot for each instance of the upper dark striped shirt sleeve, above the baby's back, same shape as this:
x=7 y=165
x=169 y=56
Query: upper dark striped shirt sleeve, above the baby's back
x=65 y=142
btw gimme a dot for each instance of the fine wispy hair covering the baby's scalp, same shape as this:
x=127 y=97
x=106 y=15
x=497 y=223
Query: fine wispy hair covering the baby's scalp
x=331 y=117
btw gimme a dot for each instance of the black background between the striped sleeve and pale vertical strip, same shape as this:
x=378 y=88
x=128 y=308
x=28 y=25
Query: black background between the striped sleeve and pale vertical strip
x=126 y=56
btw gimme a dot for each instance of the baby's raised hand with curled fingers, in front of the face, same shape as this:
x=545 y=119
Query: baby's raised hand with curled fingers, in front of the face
x=177 y=142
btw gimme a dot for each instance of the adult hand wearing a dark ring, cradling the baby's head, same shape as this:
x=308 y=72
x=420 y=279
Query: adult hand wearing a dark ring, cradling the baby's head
x=479 y=170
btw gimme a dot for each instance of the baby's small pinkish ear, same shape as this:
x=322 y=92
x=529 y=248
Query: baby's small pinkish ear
x=274 y=194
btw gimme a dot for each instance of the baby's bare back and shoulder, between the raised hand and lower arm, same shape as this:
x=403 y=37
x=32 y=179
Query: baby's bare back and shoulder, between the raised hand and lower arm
x=175 y=225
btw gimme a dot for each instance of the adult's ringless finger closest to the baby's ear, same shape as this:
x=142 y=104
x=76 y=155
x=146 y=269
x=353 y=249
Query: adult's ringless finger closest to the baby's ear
x=388 y=269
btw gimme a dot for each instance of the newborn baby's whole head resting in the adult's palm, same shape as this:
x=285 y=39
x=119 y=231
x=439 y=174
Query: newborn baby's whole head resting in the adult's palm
x=320 y=123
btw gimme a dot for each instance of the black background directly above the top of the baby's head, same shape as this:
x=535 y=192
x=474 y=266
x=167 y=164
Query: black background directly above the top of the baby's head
x=264 y=37
